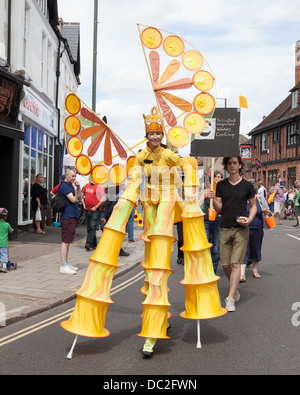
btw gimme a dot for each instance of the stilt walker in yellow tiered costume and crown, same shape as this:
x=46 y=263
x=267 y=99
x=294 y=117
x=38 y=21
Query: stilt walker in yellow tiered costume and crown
x=162 y=208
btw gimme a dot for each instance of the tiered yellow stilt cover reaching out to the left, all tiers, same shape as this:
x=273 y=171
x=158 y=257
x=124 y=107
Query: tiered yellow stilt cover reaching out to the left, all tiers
x=93 y=298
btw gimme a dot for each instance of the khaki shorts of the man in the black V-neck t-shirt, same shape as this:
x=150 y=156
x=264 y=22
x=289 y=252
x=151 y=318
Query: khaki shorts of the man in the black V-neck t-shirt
x=233 y=245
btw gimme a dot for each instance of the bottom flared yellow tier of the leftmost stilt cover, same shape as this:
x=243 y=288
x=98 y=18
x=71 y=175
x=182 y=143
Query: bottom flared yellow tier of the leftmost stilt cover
x=88 y=319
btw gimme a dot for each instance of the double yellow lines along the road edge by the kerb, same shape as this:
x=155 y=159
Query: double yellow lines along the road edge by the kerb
x=50 y=321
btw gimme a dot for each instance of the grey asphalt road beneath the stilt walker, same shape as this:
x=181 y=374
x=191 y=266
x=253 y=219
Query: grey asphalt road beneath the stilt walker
x=261 y=337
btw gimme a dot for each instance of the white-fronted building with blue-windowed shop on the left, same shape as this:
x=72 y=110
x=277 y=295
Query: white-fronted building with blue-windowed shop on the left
x=34 y=51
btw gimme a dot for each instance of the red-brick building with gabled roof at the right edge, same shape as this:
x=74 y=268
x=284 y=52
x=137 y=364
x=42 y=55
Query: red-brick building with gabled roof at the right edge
x=276 y=140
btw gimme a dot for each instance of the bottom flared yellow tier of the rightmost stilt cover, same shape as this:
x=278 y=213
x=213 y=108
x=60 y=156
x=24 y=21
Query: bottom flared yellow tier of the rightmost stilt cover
x=202 y=302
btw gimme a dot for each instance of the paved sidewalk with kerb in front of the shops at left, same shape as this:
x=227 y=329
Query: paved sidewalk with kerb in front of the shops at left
x=37 y=285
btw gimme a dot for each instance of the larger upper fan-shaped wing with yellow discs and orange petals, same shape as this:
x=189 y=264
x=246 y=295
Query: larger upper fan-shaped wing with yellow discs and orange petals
x=197 y=105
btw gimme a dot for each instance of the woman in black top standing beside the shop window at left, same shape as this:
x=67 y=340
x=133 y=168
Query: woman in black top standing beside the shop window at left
x=39 y=200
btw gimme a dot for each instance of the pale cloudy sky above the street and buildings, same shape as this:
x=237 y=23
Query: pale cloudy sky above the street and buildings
x=248 y=44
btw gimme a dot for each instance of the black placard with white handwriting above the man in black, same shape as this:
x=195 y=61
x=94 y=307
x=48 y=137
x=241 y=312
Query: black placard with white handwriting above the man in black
x=221 y=136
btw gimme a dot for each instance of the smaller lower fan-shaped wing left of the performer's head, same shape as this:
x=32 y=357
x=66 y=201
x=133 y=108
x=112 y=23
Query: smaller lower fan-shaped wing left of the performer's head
x=81 y=124
